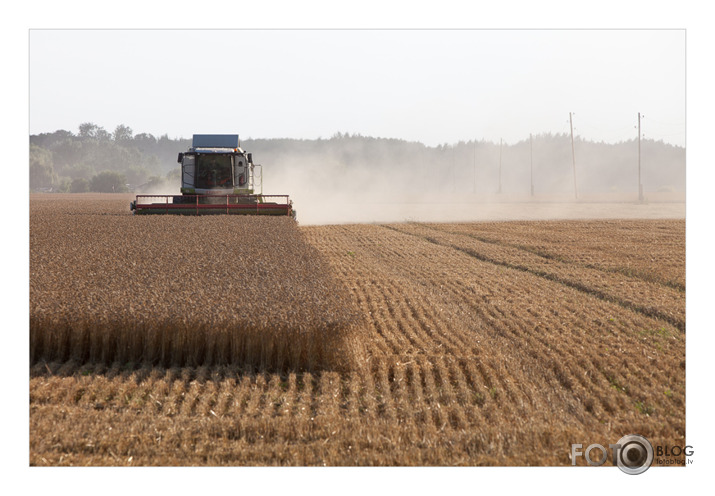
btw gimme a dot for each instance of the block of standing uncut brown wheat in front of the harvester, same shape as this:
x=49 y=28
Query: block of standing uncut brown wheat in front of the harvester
x=181 y=291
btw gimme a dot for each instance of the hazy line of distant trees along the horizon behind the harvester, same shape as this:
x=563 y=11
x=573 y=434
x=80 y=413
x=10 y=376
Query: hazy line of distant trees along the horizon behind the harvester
x=94 y=159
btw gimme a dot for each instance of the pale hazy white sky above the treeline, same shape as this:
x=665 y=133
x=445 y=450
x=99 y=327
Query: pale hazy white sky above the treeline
x=433 y=86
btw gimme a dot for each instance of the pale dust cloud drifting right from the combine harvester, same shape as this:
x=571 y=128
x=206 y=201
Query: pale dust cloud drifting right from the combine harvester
x=348 y=181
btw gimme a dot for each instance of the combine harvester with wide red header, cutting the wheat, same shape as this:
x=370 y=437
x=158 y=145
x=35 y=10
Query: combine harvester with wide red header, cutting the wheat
x=217 y=177
